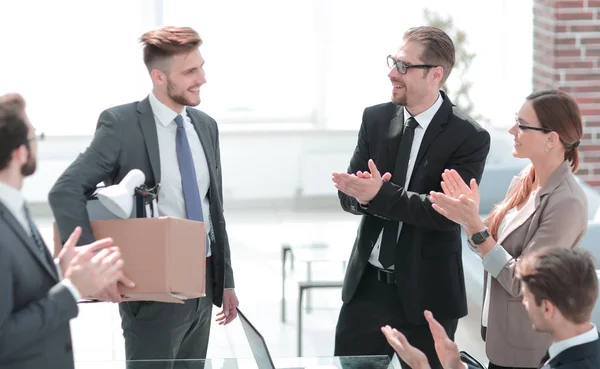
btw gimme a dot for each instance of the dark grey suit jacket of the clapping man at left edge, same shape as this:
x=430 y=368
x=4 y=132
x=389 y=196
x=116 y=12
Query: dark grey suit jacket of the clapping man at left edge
x=34 y=308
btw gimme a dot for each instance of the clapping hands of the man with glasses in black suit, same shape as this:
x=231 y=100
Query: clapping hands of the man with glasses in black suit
x=363 y=186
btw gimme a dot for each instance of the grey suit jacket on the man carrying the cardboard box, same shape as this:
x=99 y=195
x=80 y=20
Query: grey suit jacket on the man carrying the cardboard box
x=126 y=139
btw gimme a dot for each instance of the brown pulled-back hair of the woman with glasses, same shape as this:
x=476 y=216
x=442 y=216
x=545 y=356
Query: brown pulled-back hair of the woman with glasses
x=558 y=111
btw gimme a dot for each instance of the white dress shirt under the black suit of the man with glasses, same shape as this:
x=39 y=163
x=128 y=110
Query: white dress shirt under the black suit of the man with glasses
x=424 y=119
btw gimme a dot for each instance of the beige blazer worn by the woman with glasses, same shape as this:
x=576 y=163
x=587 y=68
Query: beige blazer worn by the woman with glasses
x=557 y=218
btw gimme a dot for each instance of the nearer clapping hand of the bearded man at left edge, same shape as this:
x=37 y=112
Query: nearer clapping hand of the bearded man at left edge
x=91 y=270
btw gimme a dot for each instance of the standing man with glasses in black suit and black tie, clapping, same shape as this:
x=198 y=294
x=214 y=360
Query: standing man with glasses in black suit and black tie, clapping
x=407 y=257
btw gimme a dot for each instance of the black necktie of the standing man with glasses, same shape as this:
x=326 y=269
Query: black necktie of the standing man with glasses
x=390 y=227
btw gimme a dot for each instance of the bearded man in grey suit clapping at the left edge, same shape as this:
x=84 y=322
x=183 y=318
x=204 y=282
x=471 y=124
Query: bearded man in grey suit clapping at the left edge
x=38 y=295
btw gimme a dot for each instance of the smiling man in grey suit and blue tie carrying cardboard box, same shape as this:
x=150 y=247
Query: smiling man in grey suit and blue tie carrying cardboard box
x=177 y=147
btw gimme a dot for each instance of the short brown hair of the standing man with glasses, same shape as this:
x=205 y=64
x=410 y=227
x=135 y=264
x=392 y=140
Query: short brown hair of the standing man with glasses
x=438 y=48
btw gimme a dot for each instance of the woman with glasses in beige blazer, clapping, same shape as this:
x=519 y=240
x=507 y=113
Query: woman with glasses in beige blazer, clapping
x=544 y=207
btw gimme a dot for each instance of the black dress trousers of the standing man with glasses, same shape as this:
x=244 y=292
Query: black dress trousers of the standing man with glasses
x=376 y=304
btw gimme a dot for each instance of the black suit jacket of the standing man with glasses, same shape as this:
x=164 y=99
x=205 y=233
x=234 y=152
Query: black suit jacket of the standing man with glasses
x=428 y=264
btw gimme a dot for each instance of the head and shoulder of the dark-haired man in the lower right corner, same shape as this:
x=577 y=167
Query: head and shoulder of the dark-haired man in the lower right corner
x=560 y=289
